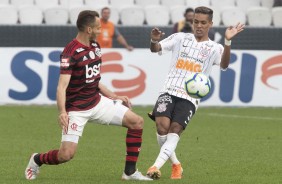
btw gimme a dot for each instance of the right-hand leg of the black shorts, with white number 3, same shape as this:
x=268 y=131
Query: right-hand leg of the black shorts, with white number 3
x=183 y=112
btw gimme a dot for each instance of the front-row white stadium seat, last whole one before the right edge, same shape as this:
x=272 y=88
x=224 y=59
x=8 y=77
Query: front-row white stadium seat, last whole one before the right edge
x=259 y=16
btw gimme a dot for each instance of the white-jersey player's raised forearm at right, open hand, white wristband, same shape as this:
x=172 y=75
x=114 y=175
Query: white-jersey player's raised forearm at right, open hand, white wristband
x=229 y=34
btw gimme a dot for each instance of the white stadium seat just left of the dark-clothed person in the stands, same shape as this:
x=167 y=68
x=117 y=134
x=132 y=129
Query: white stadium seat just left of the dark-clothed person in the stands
x=157 y=15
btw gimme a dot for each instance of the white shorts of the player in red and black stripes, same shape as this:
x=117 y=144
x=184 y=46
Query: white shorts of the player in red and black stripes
x=107 y=111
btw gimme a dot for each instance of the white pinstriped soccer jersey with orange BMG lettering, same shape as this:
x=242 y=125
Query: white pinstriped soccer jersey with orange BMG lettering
x=188 y=55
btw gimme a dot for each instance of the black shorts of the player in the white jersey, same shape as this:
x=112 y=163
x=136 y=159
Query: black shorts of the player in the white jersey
x=176 y=109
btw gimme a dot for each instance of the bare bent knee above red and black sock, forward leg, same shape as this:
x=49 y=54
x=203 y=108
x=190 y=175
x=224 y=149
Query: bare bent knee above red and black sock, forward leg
x=132 y=120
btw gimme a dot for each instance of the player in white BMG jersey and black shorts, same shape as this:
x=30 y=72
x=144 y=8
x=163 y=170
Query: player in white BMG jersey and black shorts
x=174 y=108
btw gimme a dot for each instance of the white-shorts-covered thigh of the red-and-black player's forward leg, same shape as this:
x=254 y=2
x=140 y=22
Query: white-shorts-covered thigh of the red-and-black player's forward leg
x=109 y=112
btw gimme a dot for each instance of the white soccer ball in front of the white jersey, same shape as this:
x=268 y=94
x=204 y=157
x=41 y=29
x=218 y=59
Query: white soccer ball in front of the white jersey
x=197 y=85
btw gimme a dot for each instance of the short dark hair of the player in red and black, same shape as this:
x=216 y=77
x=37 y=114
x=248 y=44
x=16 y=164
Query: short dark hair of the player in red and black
x=86 y=18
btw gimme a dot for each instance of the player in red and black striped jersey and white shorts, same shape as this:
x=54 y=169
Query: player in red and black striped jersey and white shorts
x=81 y=98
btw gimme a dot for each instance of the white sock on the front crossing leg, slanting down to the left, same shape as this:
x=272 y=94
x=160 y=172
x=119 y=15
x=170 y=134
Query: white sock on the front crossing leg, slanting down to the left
x=167 y=149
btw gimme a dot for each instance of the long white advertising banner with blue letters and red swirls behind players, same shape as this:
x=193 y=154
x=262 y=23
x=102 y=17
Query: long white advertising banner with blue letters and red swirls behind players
x=30 y=75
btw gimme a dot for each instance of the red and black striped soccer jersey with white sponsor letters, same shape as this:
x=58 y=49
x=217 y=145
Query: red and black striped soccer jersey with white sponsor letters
x=83 y=63
